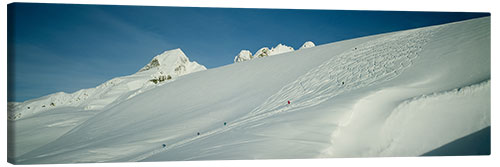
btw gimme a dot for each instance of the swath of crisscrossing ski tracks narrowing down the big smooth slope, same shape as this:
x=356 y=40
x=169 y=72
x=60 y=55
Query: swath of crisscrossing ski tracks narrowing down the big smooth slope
x=371 y=62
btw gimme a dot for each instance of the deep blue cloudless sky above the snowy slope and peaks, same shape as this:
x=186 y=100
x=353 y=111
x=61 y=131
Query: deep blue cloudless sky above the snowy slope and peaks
x=57 y=47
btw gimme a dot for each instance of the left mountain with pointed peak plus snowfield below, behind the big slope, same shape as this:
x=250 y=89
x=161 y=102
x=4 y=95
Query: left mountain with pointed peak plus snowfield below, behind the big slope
x=36 y=122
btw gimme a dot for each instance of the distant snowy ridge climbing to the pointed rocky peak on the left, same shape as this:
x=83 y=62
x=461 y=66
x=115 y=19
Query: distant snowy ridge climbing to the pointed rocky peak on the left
x=163 y=68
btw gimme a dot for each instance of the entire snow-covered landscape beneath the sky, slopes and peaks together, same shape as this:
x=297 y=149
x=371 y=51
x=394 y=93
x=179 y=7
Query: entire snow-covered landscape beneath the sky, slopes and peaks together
x=403 y=93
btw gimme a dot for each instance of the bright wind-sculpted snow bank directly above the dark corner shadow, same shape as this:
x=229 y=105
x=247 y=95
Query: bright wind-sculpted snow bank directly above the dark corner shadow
x=399 y=142
